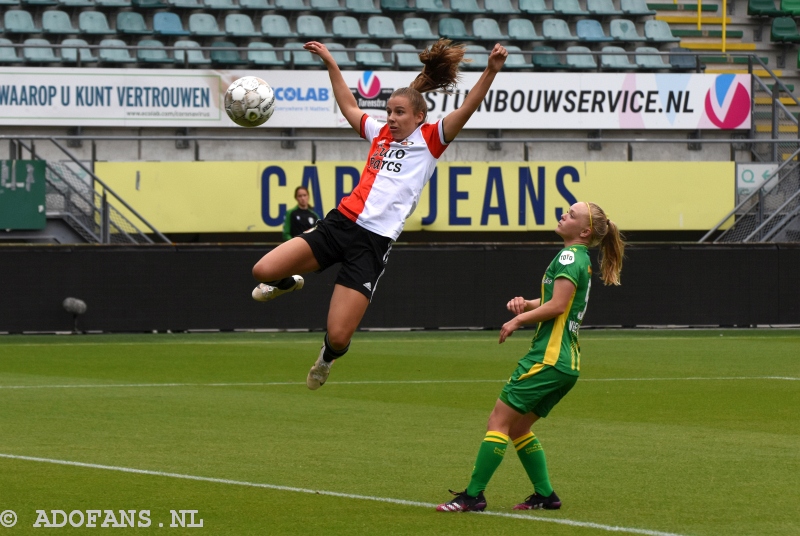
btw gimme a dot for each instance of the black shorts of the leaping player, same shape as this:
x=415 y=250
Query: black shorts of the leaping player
x=363 y=254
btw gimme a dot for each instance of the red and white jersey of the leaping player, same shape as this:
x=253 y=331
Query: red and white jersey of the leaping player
x=393 y=178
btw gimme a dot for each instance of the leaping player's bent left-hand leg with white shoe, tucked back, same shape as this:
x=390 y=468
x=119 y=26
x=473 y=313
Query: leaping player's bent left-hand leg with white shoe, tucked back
x=277 y=269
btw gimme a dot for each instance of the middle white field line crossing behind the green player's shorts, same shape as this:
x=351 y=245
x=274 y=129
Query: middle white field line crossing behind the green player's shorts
x=378 y=382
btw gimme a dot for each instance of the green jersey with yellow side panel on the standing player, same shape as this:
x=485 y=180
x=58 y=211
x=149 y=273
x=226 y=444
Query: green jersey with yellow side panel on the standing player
x=556 y=340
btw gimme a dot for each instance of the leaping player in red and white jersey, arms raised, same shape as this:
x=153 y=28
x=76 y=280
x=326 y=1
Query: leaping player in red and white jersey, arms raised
x=360 y=232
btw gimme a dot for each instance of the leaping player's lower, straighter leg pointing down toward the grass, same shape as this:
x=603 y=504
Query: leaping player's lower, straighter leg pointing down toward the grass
x=344 y=315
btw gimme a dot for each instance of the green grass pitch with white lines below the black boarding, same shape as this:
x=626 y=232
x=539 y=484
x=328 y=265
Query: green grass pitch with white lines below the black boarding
x=666 y=432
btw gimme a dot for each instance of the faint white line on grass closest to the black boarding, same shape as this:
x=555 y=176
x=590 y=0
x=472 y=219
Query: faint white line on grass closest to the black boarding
x=478 y=338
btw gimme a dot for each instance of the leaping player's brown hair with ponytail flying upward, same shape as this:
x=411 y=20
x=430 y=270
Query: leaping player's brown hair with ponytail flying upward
x=440 y=73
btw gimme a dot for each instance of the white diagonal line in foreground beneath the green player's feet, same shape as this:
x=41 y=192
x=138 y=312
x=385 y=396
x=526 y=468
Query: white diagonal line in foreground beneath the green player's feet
x=582 y=524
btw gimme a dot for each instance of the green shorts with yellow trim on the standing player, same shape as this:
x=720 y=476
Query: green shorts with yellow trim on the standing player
x=539 y=390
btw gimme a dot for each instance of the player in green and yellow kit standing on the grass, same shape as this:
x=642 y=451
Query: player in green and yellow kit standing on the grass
x=551 y=367
